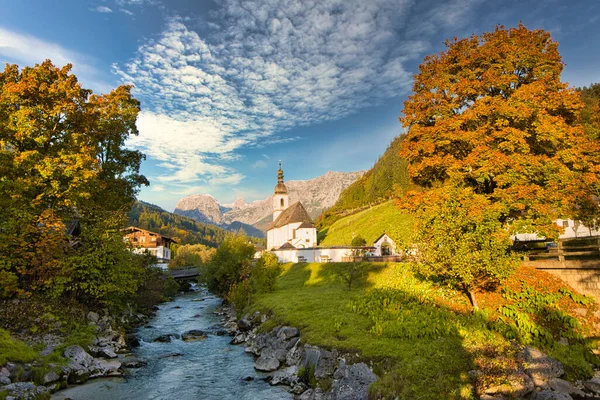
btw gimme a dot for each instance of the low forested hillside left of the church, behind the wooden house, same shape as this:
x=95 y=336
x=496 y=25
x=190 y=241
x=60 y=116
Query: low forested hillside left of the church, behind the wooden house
x=183 y=229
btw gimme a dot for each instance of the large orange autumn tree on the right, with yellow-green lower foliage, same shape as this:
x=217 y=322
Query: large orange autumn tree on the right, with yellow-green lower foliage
x=490 y=119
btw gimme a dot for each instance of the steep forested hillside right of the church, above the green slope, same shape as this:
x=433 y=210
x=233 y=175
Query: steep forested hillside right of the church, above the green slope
x=388 y=176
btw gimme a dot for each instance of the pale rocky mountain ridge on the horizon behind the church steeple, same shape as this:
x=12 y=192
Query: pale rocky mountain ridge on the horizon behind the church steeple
x=315 y=194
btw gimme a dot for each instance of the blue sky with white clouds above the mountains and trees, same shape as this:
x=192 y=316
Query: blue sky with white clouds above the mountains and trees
x=230 y=87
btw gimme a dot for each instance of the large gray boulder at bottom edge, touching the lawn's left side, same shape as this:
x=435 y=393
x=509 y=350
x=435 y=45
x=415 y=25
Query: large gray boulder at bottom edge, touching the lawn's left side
x=353 y=382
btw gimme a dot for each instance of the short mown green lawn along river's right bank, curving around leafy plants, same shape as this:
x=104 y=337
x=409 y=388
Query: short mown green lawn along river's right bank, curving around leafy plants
x=312 y=298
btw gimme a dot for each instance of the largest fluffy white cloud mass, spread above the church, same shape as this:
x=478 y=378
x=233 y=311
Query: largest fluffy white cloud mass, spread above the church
x=265 y=68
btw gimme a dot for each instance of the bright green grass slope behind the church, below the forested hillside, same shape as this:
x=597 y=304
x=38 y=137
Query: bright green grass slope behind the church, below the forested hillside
x=369 y=224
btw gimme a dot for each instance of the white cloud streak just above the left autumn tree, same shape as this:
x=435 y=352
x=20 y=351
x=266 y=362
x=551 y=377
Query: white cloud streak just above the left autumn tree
x=29 y=50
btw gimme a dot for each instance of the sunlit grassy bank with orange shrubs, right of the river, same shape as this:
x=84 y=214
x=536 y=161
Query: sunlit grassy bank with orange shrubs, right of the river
x=422 y=339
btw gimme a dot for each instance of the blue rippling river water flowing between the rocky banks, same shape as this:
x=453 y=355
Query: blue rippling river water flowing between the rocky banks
x=206 y=369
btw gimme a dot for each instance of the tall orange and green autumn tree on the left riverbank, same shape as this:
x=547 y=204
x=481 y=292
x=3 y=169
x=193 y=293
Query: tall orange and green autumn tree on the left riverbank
x=62 y=159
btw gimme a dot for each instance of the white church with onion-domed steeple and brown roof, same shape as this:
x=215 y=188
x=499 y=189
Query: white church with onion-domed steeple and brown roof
x=292 y=227
